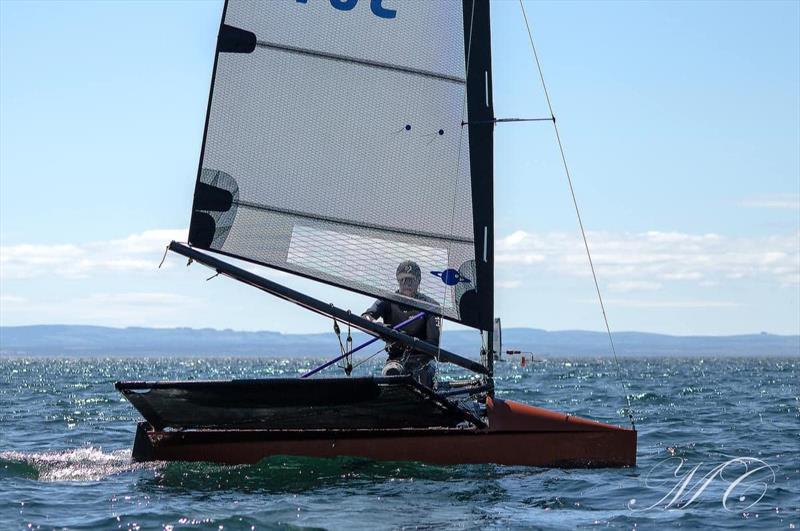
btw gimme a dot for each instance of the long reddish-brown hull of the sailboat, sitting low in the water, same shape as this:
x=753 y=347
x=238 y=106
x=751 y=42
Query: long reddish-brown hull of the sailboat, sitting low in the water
x=518 y=435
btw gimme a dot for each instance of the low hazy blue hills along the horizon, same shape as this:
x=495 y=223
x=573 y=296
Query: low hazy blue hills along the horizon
x=73 y=340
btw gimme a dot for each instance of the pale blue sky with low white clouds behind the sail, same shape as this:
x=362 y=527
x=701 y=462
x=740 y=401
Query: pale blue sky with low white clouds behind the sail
x=681 y=124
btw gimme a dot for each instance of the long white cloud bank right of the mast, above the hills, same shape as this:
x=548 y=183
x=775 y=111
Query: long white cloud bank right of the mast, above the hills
x=644 y=260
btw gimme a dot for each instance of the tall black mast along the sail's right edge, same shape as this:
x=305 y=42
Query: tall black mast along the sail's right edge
x=480 y=121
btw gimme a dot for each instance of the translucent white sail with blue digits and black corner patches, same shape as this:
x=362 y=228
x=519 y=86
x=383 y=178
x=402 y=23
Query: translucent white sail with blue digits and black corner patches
x=334 y=147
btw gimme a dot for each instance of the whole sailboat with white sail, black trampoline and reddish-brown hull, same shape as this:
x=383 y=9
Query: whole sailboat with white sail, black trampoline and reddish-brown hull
x=343 y=137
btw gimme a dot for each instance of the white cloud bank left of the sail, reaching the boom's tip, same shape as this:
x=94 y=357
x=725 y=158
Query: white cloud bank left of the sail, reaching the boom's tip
x=136 y=253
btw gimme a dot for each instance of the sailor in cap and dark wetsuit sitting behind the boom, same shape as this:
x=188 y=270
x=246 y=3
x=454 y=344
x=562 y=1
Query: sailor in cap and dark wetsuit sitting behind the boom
x=402 y=359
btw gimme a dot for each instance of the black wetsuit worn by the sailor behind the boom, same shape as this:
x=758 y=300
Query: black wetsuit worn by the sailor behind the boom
x=393 y=313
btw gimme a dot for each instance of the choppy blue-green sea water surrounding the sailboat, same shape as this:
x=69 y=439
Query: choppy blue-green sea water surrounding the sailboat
x=719 y=446
